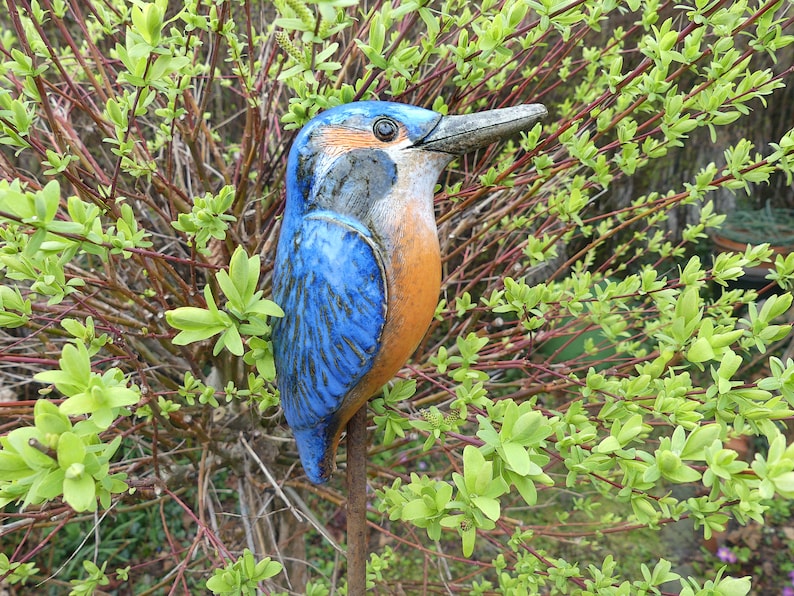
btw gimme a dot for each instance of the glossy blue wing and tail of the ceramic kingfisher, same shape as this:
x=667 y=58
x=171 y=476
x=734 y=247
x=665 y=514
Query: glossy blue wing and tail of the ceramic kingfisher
x=330 y=282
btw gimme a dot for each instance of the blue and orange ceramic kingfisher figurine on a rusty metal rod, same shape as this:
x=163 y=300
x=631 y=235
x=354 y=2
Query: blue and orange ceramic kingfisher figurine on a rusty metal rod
x=358 y=267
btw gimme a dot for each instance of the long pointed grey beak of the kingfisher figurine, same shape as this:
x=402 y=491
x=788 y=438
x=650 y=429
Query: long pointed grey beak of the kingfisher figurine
x=460 y=134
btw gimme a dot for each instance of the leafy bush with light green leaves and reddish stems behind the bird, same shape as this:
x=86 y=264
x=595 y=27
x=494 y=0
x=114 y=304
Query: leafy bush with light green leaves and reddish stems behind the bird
x=588 y=363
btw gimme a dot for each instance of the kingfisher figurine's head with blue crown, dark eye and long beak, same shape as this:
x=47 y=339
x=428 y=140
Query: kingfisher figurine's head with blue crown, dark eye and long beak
x=352 y=157
